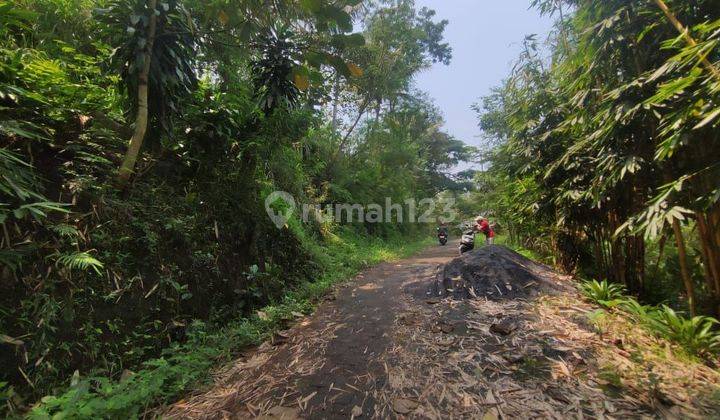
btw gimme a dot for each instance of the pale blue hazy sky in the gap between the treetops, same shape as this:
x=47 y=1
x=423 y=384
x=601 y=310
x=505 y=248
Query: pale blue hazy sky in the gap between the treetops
x=486 y=37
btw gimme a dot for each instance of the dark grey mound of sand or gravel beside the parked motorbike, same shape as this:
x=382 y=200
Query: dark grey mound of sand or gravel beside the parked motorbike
x=497 y=273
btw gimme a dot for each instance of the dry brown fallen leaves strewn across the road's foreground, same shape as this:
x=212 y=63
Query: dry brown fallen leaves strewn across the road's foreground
x=479 y=358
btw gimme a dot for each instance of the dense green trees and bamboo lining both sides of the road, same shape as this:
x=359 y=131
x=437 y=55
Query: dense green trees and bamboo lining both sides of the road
x=139 y=140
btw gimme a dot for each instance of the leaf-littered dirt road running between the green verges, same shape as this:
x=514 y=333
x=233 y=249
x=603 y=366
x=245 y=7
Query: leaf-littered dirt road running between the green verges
x=380 y=347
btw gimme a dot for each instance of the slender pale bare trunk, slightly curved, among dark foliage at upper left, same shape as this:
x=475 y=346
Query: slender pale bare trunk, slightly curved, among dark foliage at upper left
x=141 y=119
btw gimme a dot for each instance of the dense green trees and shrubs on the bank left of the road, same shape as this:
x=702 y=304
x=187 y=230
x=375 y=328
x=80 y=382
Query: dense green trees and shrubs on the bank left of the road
x=138 y=142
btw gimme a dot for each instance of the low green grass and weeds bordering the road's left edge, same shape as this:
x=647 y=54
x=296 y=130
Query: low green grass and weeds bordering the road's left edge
x=187 y=365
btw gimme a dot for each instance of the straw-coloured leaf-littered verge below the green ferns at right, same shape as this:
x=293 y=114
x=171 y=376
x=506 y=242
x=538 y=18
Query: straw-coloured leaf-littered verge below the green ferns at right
x=633 y=363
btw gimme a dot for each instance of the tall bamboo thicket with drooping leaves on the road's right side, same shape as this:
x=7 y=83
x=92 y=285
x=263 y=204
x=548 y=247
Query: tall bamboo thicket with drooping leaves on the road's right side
x=603 y=147
